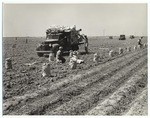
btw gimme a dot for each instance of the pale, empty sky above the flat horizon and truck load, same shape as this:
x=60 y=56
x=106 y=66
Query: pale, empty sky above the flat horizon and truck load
x=93 y=19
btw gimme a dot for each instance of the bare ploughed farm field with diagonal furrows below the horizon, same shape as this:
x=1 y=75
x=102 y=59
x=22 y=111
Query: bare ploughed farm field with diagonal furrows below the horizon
x=114 y=86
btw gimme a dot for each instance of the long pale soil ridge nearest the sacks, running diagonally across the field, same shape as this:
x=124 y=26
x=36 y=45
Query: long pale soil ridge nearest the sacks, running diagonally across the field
x=109 y=67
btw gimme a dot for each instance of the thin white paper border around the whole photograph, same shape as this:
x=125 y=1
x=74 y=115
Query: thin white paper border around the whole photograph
x=68 y=1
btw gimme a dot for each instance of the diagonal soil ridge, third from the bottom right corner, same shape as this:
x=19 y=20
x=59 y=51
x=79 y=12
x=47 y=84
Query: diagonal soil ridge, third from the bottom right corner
x=80 y=104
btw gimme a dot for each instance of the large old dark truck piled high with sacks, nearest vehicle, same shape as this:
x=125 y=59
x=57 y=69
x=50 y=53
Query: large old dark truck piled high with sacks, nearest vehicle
x=67 y=37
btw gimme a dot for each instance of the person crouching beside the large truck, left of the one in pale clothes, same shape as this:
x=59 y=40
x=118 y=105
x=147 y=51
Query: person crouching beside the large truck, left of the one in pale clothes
x=59 y=57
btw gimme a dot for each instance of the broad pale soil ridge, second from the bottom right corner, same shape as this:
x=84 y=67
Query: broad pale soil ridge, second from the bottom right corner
x=121 y=100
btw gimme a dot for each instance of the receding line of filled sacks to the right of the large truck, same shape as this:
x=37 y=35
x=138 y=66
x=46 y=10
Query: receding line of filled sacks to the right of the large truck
x=96 y=57
